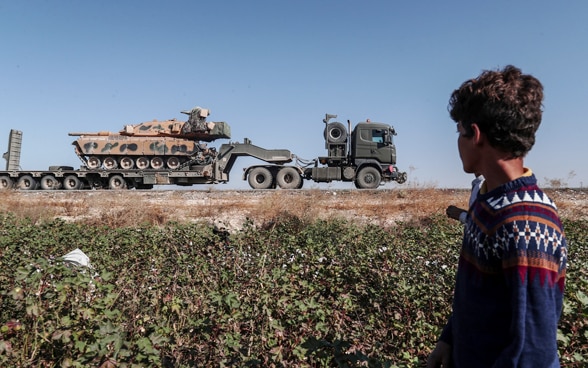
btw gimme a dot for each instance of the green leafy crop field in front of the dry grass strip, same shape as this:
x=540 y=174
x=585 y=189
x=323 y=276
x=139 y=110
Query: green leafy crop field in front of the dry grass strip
x=293 y=292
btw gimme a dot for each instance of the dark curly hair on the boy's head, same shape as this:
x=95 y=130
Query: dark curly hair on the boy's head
x=506 y=105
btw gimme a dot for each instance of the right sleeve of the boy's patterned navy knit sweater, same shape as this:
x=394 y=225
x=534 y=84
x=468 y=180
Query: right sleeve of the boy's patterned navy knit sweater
x=534 y=277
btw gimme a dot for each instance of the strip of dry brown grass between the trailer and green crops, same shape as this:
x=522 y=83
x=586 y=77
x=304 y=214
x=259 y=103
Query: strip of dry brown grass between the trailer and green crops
x=231 y=209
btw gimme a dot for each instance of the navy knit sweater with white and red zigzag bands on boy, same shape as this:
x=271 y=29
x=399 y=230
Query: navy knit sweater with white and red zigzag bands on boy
x=510 y=280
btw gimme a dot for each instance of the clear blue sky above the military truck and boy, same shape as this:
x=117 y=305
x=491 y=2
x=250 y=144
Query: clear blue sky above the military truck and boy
x=272 y=69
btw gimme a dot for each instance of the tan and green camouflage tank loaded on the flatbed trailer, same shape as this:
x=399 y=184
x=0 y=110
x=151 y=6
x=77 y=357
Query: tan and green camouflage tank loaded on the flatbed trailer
x=169 y=144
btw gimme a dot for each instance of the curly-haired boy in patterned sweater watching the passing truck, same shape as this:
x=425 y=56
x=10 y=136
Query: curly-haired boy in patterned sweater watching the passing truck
x=511 y=271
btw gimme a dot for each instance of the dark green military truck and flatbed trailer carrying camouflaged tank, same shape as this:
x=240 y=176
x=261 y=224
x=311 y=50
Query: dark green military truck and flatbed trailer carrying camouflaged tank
x=172 y=152
